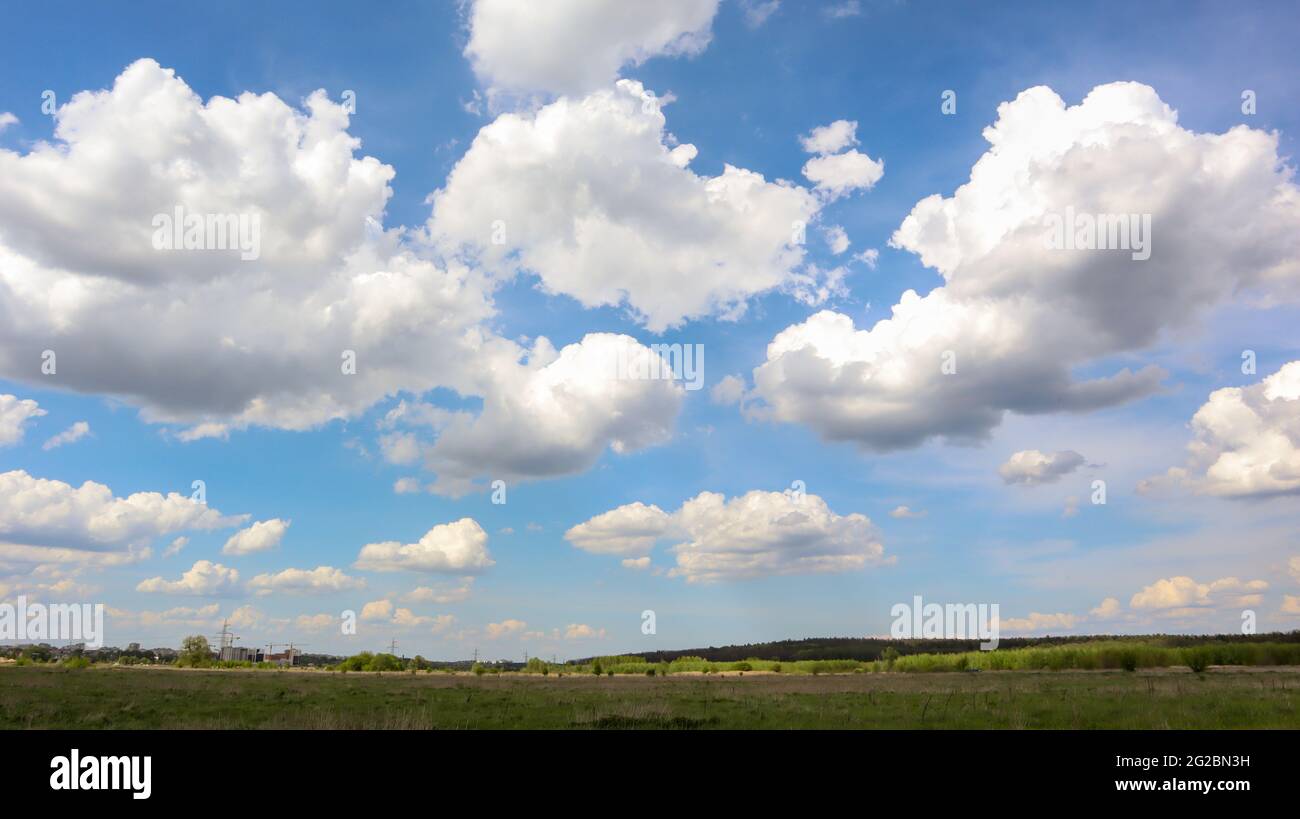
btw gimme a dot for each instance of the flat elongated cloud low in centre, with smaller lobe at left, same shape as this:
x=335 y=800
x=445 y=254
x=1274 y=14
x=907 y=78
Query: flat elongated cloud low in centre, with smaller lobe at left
x=756 y=535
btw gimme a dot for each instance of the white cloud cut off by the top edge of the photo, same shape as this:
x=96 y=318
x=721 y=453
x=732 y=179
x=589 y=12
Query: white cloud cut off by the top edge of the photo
x=574 y=46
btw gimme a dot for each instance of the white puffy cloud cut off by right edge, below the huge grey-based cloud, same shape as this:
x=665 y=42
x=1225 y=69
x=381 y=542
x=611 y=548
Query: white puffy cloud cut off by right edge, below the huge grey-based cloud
x=1247 y=441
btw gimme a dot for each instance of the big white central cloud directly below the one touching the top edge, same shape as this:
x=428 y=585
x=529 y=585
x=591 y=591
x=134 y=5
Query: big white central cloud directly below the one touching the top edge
x=593 y=197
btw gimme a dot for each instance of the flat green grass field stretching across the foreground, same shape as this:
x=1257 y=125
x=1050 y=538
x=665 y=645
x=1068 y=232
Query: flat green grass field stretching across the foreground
x=120 y=697
